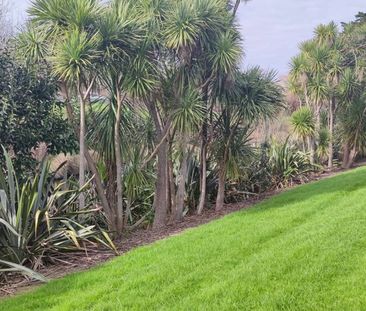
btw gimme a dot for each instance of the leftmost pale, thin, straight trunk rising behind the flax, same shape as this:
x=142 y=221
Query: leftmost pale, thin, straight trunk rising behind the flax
x=82 y=147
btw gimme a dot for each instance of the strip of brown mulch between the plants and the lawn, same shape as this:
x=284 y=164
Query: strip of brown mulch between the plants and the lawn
x=82 y=261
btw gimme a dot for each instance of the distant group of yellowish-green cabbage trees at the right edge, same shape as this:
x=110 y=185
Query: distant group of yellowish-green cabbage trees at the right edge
x=328 y=78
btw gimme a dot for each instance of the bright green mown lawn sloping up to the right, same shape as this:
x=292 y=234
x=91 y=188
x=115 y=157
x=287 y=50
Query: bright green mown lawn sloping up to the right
x=304 y=249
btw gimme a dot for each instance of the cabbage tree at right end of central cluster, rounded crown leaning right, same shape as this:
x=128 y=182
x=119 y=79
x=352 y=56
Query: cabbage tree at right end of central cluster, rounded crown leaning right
x=253 y=96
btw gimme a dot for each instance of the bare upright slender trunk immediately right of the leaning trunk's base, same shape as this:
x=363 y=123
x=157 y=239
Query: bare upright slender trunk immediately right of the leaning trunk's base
x=119 y=173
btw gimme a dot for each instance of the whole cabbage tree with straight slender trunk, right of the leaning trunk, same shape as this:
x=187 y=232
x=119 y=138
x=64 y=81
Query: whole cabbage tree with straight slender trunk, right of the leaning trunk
x=120 y=33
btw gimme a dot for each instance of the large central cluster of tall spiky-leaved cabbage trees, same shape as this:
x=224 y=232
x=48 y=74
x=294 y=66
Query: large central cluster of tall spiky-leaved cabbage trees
x=174 y=97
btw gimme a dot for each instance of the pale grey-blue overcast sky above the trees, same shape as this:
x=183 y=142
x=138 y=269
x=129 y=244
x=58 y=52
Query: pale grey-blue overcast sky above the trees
x=272 y=29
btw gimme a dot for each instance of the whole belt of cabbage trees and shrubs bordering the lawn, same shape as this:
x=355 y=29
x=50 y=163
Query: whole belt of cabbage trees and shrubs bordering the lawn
x=164 y=114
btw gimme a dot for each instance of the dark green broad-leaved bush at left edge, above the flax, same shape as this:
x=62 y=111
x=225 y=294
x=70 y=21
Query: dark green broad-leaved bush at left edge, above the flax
x=30 y=113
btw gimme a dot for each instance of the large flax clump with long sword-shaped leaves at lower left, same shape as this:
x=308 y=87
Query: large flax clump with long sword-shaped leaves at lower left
x=39 y=221
